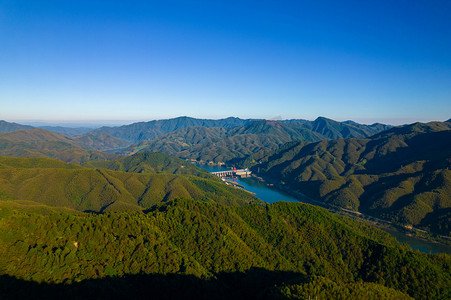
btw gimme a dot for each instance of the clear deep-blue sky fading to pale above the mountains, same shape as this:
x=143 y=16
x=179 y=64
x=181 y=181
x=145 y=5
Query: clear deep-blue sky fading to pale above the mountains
x=123 y=61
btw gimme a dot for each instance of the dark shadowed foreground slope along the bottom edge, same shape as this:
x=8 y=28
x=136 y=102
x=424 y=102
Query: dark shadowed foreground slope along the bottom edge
x=253 y=284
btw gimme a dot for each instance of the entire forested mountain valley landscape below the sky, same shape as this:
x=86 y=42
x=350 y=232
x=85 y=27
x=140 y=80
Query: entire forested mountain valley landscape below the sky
x=86 y=210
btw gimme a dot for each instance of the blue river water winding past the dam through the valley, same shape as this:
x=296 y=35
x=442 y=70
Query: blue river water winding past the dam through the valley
x=271 y=194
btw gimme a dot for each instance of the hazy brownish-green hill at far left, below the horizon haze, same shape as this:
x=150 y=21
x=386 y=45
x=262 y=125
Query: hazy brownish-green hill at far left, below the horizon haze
x=43 y=143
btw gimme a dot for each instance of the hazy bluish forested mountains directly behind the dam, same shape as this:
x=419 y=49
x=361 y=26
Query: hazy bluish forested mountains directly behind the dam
x=233 y=144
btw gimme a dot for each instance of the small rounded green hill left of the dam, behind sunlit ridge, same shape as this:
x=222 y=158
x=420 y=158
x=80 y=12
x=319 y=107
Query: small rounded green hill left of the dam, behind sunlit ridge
x=151 y=162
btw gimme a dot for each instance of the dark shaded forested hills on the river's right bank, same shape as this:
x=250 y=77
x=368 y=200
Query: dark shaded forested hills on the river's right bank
x=402 y=174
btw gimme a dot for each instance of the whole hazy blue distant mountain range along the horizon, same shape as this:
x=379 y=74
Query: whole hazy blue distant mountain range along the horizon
x=225 y=140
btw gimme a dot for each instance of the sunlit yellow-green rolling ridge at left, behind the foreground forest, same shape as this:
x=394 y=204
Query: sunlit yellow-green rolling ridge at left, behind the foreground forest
x=55 y=183
